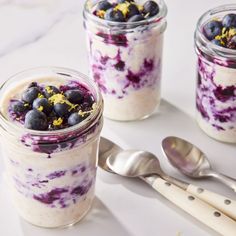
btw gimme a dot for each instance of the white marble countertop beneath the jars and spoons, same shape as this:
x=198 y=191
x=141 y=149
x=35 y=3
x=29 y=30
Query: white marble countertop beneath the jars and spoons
x=45 y=33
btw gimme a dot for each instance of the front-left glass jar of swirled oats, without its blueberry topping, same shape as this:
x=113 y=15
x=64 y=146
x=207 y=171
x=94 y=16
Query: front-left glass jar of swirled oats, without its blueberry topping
x=50 y=174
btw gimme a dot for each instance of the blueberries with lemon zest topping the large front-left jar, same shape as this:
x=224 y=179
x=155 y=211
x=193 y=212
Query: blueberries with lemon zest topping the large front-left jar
x=51 y=108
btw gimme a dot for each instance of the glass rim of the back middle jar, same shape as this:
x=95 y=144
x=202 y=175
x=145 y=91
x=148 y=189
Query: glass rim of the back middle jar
x=129 y=25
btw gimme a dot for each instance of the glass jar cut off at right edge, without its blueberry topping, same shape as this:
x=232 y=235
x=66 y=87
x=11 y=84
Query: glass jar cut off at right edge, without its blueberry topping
x=216 y=82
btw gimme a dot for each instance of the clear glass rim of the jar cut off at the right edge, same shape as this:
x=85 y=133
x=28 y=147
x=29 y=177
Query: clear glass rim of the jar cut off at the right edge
x=221 y=51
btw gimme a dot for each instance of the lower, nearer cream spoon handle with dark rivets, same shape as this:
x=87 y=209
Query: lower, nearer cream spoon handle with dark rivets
x=196 y=207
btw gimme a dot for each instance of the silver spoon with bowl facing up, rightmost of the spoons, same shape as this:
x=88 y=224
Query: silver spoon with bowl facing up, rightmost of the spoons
x=191 y=161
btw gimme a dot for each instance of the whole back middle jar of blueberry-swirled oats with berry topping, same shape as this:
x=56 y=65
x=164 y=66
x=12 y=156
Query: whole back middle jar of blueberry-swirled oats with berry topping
x=125 y=41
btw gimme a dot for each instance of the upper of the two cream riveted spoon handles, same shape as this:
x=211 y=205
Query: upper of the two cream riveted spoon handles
x=222 y=203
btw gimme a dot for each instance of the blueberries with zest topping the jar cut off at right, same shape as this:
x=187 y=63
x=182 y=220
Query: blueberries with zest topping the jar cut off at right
x=222 y=32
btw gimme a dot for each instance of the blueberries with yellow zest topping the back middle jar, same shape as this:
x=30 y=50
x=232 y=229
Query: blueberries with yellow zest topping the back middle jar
x=126 y=10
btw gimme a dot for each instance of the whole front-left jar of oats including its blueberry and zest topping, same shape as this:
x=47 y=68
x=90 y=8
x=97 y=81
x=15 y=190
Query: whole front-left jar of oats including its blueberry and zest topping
x=50 y=120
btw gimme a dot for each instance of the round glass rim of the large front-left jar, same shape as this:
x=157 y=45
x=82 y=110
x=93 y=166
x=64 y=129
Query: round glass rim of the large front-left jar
x=62 y=71
